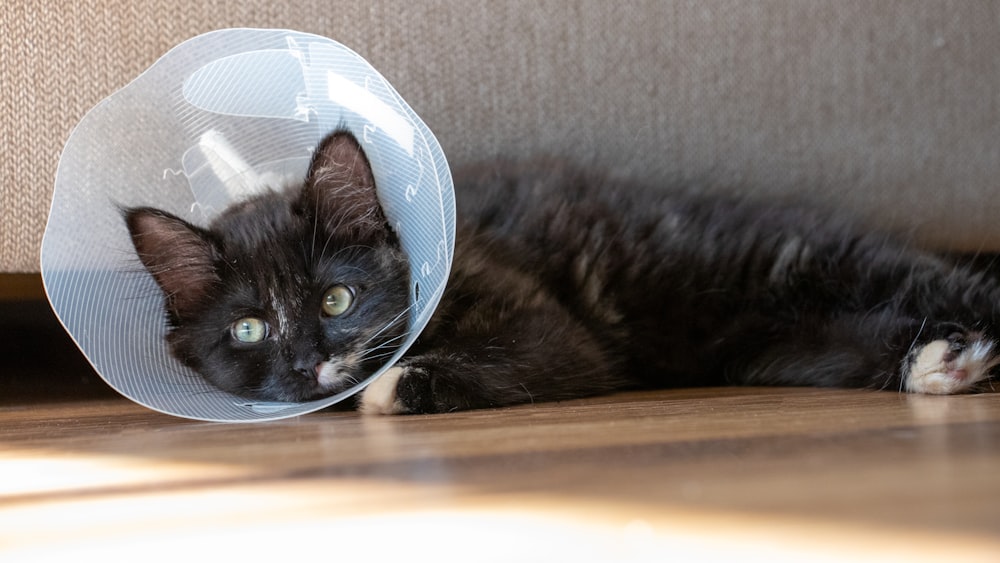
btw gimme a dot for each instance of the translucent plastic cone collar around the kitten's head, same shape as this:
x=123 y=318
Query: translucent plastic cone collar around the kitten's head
x=216 y=119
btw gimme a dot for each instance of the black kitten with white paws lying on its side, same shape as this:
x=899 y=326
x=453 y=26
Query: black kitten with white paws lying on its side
x=565 y=284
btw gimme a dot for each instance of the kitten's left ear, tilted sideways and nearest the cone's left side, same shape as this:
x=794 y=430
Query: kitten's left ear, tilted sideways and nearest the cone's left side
x=179 y=255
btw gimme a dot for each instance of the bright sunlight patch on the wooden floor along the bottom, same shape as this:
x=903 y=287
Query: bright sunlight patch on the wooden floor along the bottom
x=54 y=507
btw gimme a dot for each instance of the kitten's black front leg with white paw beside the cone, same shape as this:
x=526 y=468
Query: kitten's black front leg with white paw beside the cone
x=500 y=338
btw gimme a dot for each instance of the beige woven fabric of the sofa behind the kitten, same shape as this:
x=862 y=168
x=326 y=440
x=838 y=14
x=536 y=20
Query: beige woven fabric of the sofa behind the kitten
x=889 y=108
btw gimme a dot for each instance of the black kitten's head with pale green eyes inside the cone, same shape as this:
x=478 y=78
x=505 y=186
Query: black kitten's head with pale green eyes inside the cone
x=288 y=296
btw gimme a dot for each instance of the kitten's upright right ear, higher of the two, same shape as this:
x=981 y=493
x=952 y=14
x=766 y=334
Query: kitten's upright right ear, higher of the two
x=340 y=187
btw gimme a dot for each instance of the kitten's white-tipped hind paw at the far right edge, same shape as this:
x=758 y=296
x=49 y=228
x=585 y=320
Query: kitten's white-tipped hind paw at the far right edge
x=955 y=364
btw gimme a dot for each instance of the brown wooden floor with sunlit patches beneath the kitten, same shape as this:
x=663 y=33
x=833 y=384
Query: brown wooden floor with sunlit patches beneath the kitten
x=730 y=474
